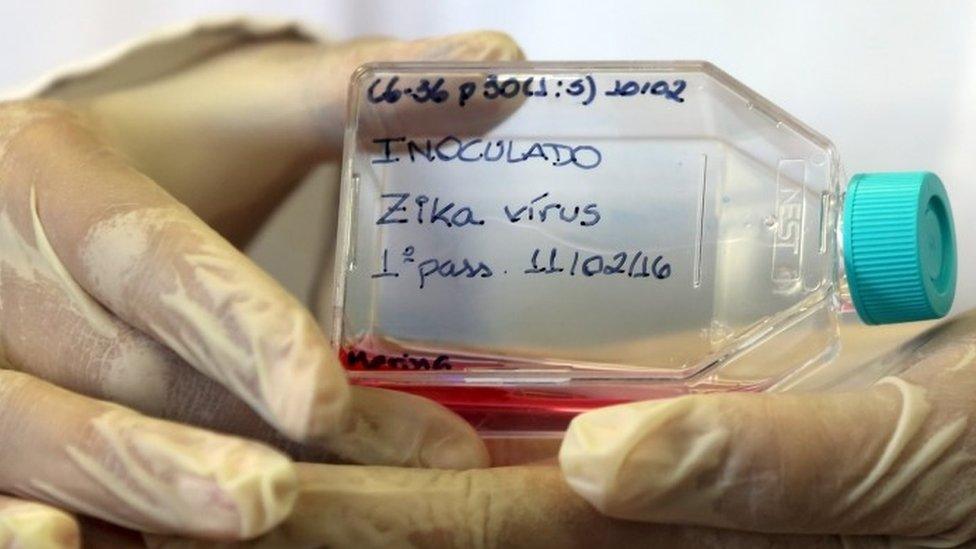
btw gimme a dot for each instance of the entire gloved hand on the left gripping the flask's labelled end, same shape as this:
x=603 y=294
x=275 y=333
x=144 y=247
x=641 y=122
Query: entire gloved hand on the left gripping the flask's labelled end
x=115 y=285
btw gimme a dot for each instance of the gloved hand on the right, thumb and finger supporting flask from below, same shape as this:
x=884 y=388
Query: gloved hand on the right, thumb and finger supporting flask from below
x=892 y=465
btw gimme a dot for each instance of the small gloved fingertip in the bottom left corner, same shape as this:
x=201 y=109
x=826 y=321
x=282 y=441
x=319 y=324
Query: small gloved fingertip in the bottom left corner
x=29 y=524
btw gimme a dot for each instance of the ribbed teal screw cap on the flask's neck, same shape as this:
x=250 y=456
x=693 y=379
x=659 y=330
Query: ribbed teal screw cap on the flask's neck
x=899 y=247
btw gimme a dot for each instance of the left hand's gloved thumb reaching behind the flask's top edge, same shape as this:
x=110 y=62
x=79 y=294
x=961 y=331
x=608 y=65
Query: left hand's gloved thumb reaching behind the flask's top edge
x=229 y=137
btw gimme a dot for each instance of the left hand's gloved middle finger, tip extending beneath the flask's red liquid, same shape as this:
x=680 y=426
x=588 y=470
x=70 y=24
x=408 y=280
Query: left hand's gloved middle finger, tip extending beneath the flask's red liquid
x=102 y=357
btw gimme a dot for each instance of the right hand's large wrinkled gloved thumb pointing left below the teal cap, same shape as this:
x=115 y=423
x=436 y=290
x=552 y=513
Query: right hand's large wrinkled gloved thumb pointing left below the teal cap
x=897 y=459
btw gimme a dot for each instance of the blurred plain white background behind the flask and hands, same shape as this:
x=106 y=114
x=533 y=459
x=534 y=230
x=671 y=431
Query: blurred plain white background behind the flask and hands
x=893 y=83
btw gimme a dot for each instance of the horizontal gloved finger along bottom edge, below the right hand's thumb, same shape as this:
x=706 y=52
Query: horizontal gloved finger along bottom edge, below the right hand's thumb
x=351 y=506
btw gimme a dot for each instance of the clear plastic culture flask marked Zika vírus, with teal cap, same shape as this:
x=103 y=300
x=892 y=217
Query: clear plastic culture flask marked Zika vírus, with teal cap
x=523 y=242
